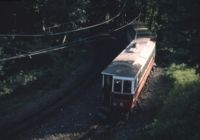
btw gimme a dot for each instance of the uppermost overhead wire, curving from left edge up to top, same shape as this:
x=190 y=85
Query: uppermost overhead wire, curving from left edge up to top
x=69 y=31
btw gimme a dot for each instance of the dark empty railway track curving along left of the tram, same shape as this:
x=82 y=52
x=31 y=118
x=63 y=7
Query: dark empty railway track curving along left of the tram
x=82 y=83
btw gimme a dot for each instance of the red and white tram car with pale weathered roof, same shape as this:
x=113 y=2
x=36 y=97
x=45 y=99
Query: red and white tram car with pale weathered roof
x=125 y=77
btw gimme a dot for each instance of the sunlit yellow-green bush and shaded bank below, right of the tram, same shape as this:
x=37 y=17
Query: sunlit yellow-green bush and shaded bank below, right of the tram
x=179 y=117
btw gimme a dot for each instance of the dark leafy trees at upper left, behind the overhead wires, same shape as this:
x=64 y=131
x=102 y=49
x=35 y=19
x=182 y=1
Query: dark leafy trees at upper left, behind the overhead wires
x=38 y=14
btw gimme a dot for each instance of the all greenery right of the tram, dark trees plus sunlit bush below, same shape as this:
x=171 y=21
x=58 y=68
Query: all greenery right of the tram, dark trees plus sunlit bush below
x=175 y=24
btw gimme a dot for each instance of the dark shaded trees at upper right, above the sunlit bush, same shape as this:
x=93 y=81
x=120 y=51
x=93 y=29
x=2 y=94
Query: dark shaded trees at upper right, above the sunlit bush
x=175 y=23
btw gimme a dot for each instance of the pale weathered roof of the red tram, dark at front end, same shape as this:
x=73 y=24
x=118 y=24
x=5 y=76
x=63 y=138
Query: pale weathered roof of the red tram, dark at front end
x=133 y=57
